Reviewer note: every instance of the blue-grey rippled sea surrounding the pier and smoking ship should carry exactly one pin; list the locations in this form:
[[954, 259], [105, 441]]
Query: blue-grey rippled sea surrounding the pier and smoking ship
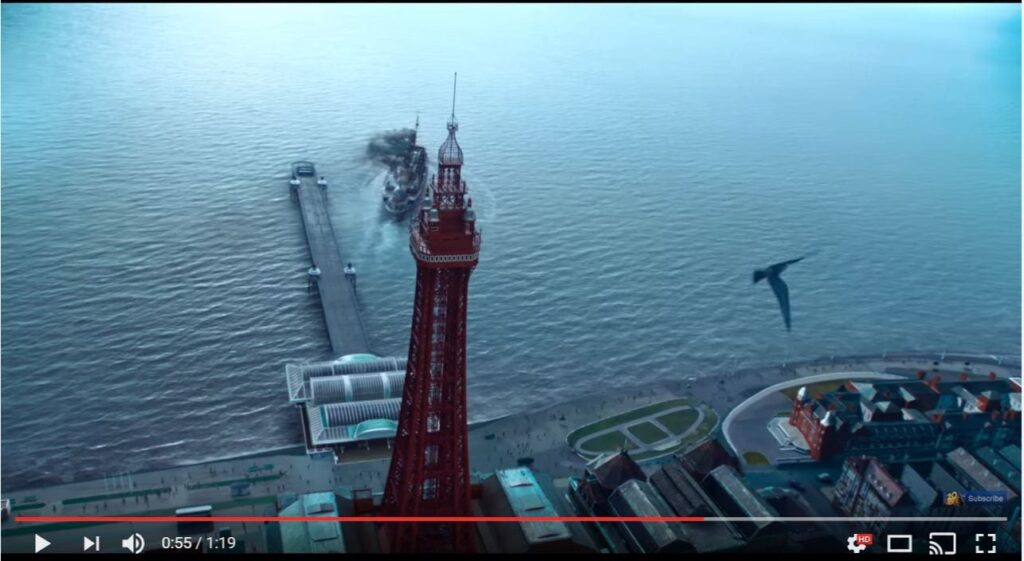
[[631, 167]]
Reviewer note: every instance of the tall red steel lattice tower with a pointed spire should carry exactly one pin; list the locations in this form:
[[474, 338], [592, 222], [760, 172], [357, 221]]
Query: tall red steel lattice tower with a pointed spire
[[430, 472]]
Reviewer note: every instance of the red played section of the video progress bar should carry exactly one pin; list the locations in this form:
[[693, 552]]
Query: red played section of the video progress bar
[[360, 520]]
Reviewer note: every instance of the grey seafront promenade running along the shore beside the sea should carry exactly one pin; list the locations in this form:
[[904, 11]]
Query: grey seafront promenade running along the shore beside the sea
[[539, 436]]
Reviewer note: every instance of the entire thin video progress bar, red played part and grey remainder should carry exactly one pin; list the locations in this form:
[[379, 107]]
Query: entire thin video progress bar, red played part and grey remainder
[[450, 520]]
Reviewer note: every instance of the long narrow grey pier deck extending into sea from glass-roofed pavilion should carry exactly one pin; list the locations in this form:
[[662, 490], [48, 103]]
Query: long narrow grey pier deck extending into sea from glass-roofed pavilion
[[336, 293]]
